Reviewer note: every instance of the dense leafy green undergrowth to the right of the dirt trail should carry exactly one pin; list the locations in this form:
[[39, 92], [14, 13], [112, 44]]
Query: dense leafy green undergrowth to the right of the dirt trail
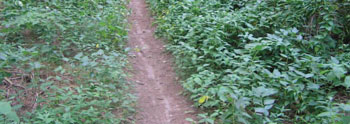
[[257, 61]]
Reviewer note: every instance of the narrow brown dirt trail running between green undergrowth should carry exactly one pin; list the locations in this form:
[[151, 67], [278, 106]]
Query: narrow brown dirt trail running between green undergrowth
[[159, 99]]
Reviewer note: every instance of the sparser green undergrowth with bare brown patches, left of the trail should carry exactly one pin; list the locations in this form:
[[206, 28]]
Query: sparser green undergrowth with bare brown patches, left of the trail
[[62, 61]]
